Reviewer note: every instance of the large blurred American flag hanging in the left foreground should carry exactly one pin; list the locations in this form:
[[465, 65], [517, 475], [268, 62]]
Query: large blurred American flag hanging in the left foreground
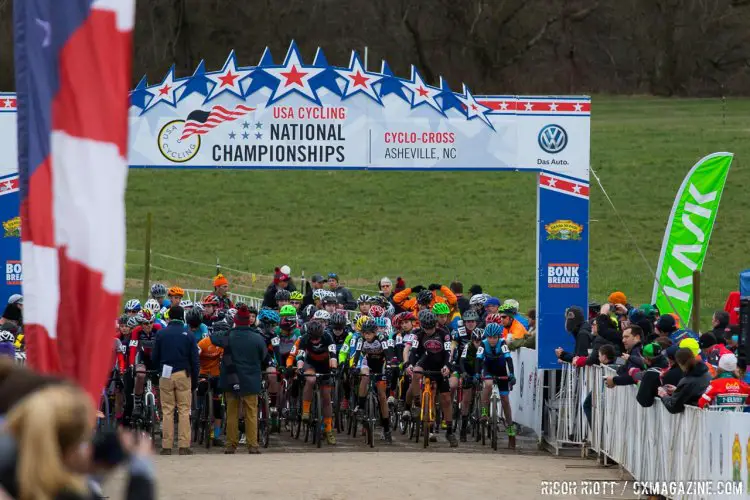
[[72, 63]]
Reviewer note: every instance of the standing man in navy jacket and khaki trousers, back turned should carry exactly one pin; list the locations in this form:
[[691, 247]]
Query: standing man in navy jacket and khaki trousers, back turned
[[175, 356]]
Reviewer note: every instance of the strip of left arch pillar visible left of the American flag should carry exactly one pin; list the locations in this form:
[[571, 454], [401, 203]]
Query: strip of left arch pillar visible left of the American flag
[[10, 241]]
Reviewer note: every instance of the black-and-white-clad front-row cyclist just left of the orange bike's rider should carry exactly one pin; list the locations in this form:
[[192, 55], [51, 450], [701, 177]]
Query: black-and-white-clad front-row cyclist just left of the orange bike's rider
[[372, 358]]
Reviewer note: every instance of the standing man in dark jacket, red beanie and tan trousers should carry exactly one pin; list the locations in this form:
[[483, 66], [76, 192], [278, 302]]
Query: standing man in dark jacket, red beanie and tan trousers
[[245, 356]]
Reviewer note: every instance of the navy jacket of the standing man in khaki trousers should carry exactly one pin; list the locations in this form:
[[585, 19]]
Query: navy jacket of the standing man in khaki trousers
[[176, 348]]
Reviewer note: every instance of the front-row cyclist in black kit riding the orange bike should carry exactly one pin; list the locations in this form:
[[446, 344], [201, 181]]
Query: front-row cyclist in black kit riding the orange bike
[[430, 350]]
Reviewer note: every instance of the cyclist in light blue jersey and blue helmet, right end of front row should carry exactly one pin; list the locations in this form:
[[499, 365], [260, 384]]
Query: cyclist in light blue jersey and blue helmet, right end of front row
[[494, 358]]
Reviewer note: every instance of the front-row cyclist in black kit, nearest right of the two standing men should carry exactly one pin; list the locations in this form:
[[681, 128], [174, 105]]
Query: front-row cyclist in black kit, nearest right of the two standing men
[[315, 352]]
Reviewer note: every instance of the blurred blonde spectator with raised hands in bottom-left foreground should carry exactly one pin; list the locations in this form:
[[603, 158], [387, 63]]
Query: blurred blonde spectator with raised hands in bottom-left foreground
[[46, 452]]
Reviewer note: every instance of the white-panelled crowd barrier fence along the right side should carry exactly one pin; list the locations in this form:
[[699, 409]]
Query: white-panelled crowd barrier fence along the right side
[[701, 449]]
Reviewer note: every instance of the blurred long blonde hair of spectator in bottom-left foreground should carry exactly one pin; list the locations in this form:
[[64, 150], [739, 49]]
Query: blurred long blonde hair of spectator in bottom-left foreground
[[46, 424]]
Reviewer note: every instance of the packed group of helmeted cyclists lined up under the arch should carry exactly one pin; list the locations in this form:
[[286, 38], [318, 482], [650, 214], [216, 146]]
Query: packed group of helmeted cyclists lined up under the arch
[[391, 341]]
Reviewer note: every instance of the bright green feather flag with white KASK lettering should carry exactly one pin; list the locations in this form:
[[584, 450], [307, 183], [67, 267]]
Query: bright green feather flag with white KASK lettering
[[688, 231]]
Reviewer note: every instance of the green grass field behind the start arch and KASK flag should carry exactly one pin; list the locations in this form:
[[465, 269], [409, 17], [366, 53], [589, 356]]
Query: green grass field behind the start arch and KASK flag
[[436, 227]]
